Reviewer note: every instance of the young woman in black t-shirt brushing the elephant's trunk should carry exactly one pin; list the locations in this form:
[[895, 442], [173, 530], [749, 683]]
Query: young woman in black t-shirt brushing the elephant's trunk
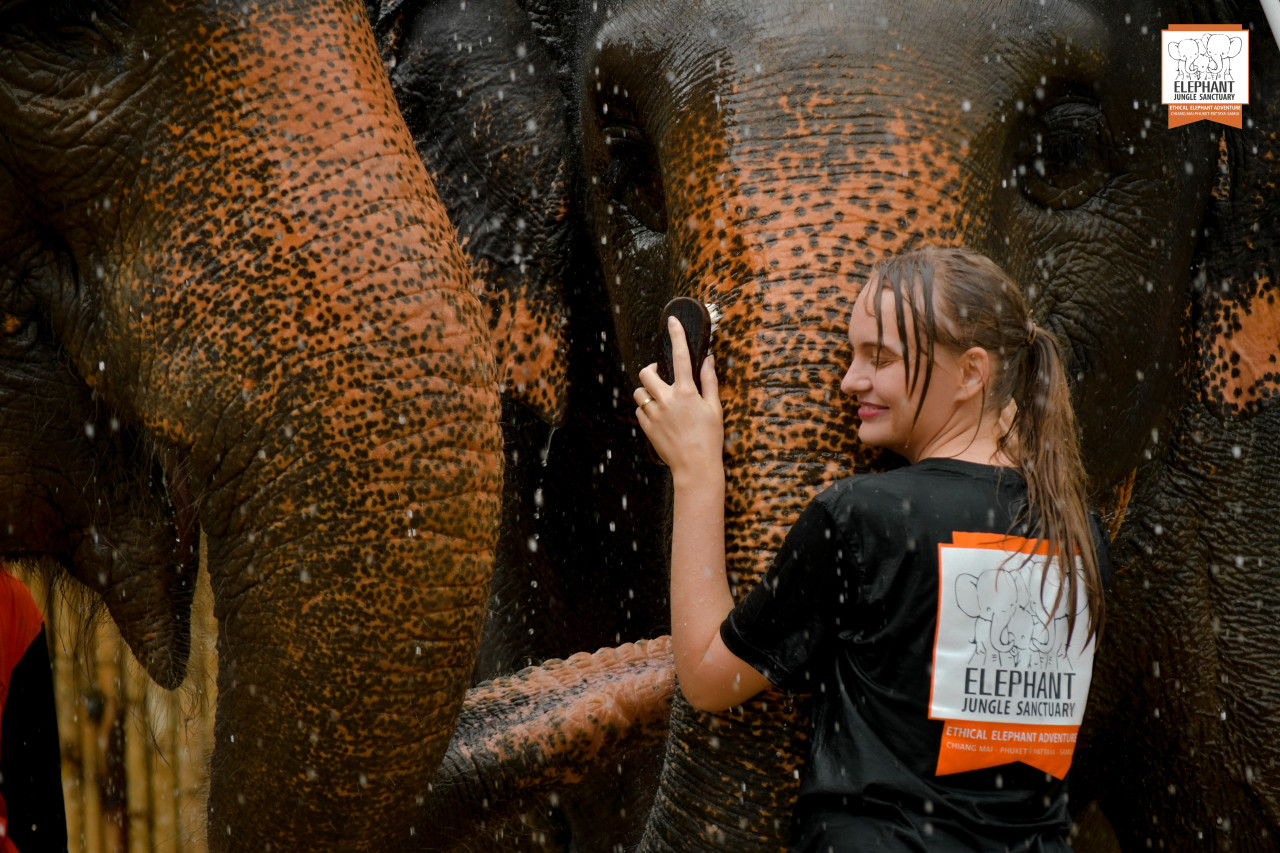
[[930, 610]]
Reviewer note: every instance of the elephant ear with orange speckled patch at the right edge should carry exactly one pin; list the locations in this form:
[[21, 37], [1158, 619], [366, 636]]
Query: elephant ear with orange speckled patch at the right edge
[[1238, 323]]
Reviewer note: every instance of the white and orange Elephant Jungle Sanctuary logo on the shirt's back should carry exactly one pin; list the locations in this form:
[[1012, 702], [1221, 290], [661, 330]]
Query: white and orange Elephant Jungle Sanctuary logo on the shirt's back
[[1005, 682]]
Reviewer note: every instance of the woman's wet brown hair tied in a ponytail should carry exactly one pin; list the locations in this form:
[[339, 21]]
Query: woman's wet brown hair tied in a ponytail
[[961, 299]]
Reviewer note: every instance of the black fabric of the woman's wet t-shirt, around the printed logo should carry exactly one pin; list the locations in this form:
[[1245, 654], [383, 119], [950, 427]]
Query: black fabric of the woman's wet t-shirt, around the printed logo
[[851, 613]]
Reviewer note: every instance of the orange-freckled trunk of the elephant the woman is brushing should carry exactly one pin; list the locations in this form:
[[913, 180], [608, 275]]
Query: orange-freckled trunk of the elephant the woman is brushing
[[794, 261]]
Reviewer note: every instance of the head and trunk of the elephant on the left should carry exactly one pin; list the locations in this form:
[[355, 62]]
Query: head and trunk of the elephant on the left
[[231, 298]]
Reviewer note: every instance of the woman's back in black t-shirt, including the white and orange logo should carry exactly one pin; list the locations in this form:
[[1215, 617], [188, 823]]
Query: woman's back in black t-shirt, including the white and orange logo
[[851, 614]]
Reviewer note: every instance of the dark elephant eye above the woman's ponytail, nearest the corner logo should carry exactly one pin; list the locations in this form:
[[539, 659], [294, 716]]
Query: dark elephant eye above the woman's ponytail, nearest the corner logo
[[1068, 158]]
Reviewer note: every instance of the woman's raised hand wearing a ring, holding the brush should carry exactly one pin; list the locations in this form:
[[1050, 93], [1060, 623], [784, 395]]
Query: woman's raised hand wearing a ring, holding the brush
[[685, 428]]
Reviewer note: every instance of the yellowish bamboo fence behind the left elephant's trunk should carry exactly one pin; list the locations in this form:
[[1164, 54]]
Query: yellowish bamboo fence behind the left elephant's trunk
[[135, 756]]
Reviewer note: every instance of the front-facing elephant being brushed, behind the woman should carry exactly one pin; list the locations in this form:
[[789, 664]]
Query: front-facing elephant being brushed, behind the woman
[[760, 157]]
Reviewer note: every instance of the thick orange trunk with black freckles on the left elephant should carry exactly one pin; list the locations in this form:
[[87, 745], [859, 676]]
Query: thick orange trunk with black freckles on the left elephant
[[308, 339]]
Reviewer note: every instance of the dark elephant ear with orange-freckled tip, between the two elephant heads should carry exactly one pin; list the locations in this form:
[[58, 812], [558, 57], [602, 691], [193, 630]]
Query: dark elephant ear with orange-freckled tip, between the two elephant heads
[[482, 97]]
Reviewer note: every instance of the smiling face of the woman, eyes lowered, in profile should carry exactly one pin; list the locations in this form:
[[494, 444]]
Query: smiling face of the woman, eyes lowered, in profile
[[879, 381]]
